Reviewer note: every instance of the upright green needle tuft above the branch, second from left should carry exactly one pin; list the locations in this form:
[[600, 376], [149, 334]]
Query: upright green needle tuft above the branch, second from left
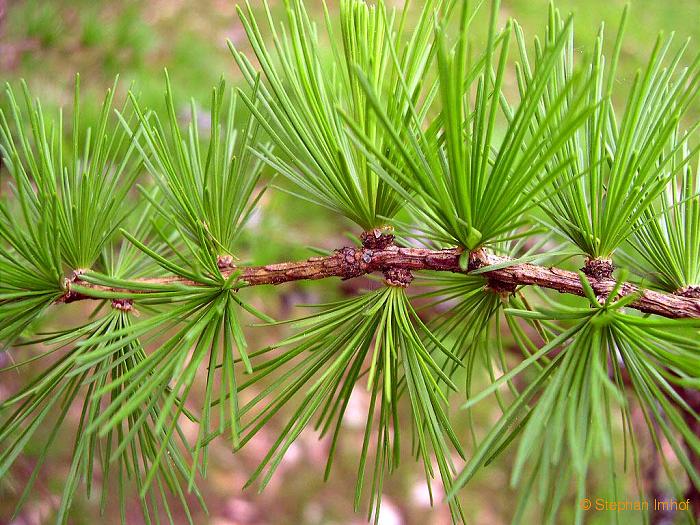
[[206, 195]]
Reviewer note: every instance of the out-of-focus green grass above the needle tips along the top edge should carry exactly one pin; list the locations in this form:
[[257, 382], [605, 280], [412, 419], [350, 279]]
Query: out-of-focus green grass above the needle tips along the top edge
[[47, 41]]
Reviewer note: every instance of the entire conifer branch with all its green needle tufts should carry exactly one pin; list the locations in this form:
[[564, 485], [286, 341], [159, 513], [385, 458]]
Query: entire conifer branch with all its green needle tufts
[[479, 175]]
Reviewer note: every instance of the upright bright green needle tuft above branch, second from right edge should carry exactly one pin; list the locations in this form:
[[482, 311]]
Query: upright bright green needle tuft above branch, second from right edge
[[619, 165]]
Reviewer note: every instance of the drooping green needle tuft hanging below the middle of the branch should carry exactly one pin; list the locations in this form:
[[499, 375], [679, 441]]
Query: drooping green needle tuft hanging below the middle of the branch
[[378, 336]]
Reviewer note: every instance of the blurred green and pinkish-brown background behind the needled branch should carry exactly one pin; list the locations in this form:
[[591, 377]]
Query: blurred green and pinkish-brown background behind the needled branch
[[46, 42]]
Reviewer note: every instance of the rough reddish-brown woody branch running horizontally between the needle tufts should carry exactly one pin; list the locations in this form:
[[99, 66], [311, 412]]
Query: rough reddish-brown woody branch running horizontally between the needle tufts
[[350, 262]]
